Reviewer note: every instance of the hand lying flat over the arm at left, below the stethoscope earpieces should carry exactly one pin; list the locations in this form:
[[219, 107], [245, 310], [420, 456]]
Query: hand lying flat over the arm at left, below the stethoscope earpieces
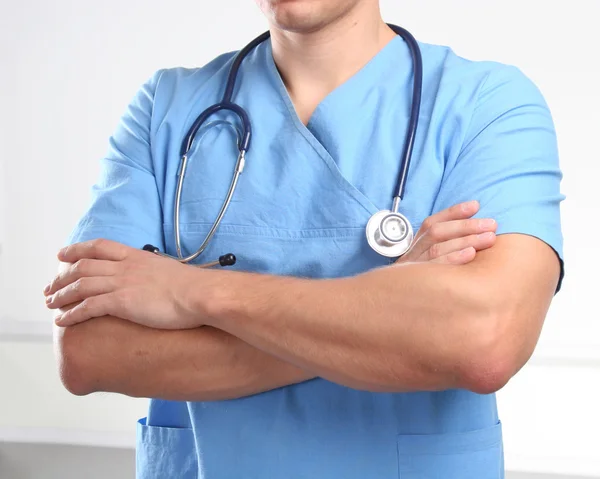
[[107, 278]]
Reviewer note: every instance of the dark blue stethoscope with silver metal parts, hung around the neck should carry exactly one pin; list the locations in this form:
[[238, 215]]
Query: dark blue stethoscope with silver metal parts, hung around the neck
[[389, 232]]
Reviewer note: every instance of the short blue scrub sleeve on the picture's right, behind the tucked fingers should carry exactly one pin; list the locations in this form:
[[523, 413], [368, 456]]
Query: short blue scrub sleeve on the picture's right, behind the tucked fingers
[[509, 161]]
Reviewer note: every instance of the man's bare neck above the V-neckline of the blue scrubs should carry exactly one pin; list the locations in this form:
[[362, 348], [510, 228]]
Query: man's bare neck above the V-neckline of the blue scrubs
[[314, 64]]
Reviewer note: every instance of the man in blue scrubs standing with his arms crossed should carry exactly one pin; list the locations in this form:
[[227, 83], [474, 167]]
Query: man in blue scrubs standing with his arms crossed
[[314, 357]]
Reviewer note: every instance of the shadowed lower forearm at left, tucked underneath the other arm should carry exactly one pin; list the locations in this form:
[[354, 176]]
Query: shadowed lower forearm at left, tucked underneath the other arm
[[112, 355]]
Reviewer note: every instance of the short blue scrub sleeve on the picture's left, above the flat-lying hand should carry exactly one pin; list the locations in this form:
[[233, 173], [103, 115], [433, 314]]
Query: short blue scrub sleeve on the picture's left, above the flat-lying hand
[[125, 204]]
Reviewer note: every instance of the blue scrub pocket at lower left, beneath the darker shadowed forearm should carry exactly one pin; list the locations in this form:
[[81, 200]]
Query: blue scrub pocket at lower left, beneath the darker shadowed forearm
[[165, 453]]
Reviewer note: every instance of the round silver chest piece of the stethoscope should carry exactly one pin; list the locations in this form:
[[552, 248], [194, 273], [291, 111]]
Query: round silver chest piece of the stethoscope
[[389, 234]]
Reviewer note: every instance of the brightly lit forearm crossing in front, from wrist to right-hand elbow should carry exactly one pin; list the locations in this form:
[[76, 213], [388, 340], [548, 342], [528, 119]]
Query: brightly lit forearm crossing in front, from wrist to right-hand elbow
[[402, 328]]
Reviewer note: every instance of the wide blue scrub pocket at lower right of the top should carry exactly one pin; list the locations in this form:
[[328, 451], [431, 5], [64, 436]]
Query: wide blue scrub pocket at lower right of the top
[[470, 455]]
